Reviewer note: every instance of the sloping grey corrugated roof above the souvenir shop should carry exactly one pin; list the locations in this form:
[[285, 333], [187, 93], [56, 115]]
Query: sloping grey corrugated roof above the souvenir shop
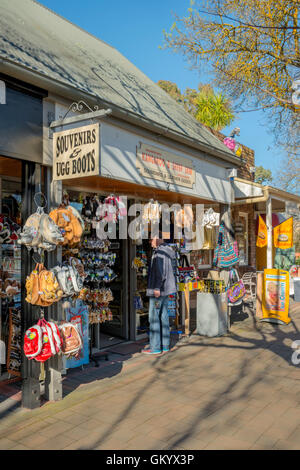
[[37, 38]]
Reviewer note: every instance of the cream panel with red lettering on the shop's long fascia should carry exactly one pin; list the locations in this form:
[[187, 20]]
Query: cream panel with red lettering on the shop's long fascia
[[164, 166]]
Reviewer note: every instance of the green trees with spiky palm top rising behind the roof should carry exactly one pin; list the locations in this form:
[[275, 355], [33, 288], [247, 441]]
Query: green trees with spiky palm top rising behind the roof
[[211, 108]]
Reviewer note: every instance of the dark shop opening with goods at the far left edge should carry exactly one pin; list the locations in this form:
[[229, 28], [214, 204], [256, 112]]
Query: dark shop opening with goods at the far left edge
[[10, 270]]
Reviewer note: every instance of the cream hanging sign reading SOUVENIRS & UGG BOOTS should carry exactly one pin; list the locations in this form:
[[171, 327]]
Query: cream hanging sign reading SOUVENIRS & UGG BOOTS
[[76, 152]]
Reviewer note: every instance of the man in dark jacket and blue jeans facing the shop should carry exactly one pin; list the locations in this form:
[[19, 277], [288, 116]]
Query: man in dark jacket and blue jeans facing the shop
[[161, 283]]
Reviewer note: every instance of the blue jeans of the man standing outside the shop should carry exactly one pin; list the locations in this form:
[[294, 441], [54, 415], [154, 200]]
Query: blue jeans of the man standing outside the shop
[[159, 323]]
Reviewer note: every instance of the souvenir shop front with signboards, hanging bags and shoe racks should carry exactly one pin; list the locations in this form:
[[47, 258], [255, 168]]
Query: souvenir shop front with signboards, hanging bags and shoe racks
[[58, 267]]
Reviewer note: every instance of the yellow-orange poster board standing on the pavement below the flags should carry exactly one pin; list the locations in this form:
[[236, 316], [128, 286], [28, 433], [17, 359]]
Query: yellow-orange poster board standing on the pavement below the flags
[[275, 299]]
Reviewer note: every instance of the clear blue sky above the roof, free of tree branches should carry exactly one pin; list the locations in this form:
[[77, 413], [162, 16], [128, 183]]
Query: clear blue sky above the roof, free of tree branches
[[135, 28]]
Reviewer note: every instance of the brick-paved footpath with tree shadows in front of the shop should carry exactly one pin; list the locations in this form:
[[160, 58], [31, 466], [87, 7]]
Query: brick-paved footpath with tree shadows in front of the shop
[[240, 391]]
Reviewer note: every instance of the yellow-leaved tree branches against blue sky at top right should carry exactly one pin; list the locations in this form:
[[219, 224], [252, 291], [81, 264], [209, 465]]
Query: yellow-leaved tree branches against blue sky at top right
[[252, 49]]
